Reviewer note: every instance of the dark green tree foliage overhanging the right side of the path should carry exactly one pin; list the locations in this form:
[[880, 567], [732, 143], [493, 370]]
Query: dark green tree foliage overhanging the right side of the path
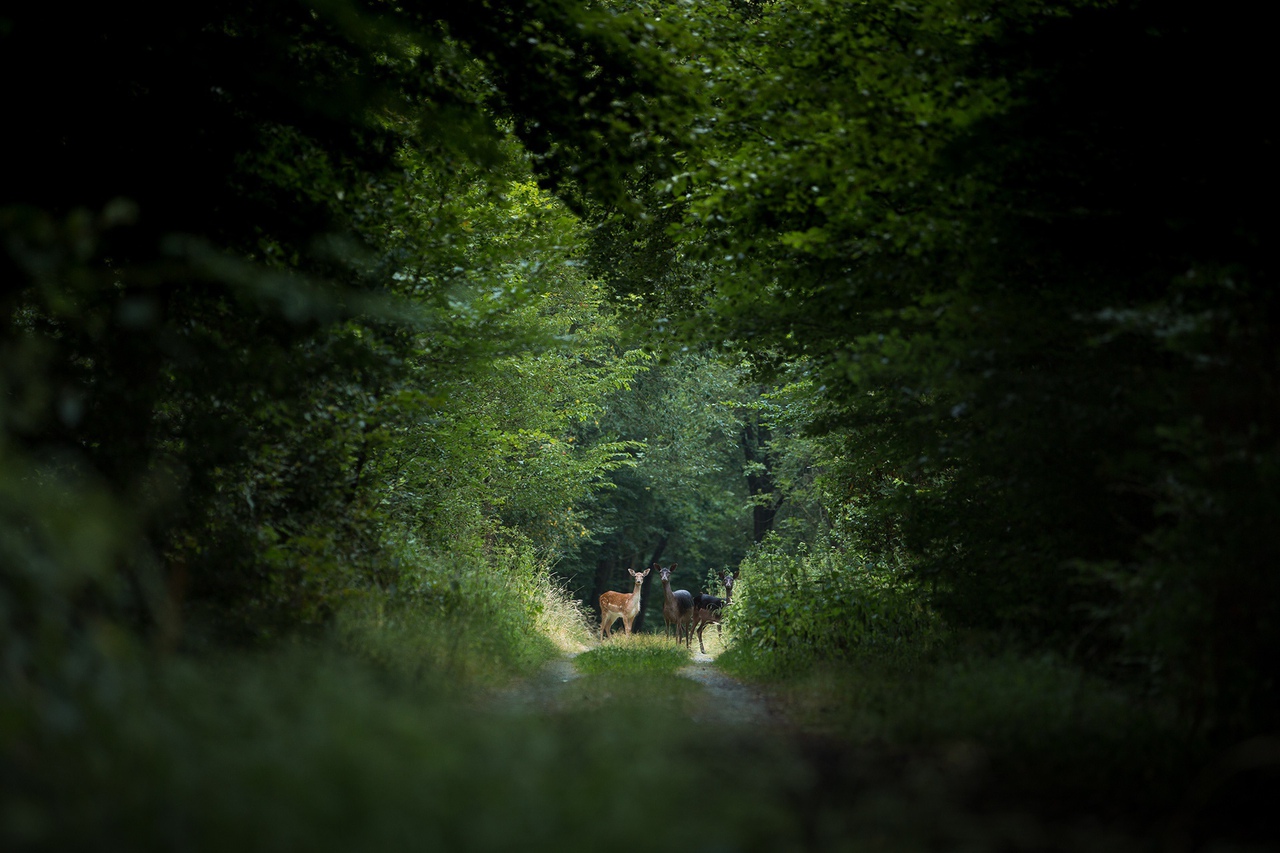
[[1022, 264]]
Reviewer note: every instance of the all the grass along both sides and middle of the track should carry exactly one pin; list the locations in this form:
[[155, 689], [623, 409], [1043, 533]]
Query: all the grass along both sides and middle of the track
[[382, 738]]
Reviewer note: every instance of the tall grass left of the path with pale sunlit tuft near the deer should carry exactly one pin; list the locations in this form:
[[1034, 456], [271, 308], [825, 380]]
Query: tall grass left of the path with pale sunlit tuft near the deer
[[367, 738]]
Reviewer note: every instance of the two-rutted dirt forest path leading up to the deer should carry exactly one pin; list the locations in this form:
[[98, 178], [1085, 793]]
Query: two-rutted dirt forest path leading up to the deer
[[838, 793]]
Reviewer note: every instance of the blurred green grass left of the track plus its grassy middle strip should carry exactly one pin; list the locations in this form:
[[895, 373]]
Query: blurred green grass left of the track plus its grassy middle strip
[[314, 749]]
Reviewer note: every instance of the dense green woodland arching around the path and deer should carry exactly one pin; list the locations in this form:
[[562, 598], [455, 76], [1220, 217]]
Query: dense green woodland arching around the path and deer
[[401, 332]]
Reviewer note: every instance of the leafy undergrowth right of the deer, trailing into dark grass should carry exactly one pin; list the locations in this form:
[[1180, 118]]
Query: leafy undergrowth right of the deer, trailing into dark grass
[[852, 650]]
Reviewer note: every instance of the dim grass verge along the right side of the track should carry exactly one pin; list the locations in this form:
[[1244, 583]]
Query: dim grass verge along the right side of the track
[[1048, 731]]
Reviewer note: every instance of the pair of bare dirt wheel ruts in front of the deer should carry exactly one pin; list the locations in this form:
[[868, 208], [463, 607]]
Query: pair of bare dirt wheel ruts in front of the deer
[[858, 797]]
